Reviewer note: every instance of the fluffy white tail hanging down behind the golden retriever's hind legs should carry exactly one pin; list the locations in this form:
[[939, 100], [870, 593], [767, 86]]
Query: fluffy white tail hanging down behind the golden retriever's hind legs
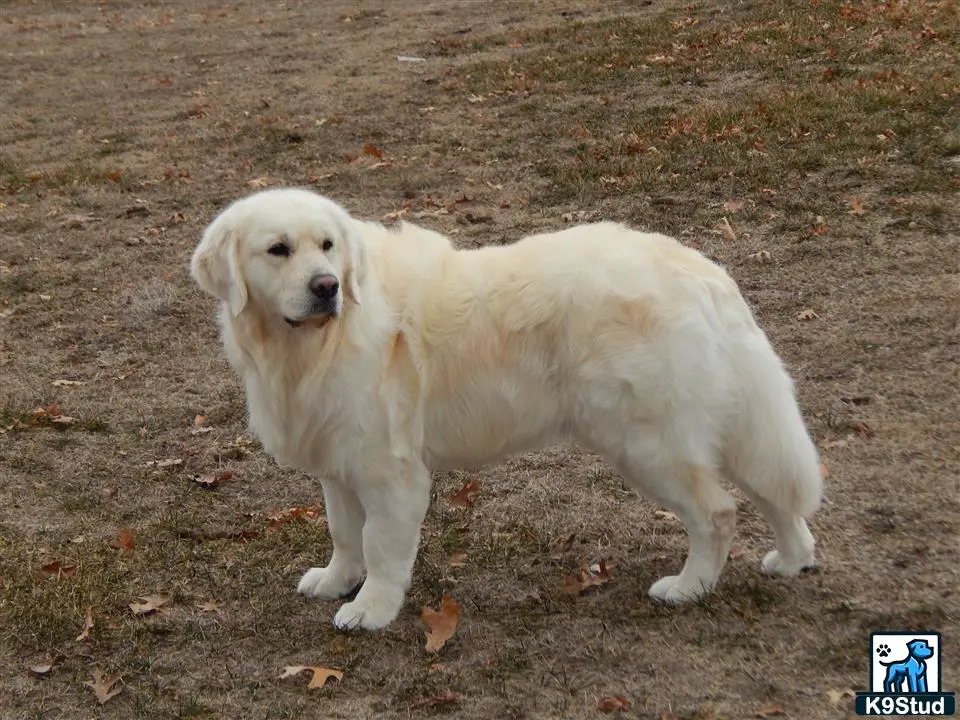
[[768, 448]]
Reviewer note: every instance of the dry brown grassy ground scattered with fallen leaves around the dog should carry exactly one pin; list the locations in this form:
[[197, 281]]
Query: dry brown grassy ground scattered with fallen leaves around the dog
[[811, 147]]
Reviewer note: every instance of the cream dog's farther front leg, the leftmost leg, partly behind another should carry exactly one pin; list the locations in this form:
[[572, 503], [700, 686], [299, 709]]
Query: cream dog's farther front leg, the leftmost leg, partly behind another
[[345, 518]]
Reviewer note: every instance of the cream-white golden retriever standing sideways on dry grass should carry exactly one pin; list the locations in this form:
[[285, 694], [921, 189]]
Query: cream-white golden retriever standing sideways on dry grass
[[372, 356]]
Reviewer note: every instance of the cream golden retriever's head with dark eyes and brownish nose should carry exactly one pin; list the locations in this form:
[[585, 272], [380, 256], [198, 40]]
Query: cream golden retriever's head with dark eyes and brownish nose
[[290, 254]]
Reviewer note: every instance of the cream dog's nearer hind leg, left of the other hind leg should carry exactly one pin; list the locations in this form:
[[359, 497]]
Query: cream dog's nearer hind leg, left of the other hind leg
[[706, 510]]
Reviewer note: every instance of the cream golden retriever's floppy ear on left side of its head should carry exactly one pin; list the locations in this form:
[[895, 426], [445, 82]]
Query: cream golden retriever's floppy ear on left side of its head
[[215, 265]]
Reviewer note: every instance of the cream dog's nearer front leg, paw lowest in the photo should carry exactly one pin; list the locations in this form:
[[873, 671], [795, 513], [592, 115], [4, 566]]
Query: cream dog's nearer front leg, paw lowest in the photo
[[395, 504]]
